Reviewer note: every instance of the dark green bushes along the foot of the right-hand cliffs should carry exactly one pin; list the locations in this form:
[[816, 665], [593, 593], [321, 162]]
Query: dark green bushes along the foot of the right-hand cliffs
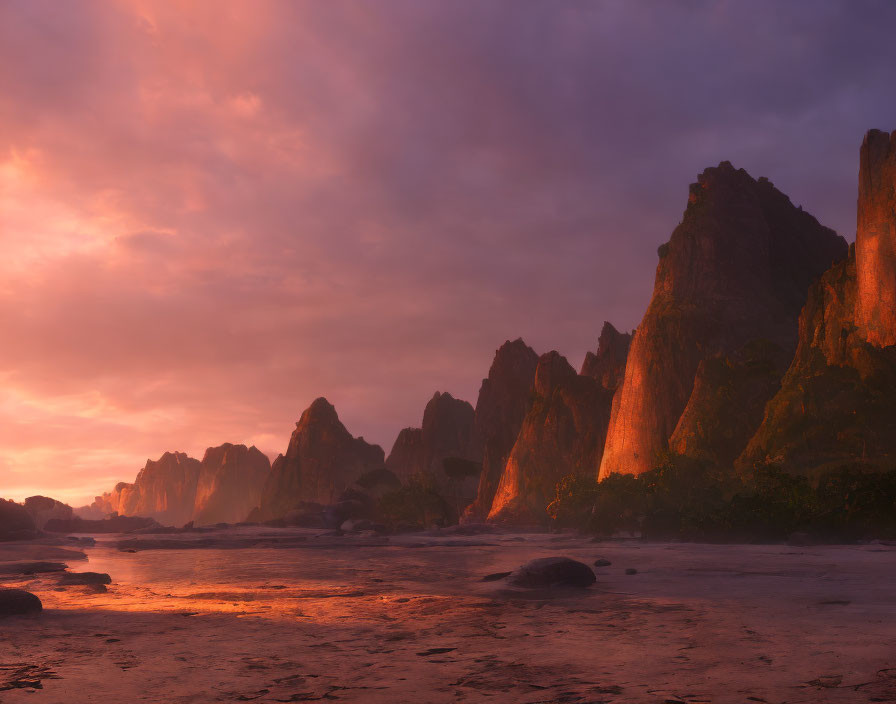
[[686, 499]]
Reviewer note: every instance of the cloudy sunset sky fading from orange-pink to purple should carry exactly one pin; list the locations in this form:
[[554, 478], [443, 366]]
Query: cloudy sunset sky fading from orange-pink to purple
[[212, 213]]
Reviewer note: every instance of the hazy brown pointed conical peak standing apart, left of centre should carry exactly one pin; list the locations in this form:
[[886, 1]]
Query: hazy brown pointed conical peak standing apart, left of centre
[[321, 462]]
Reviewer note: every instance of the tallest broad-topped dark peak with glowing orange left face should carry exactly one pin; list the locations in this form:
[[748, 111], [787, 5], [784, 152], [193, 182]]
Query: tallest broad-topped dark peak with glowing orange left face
[[735, 270]]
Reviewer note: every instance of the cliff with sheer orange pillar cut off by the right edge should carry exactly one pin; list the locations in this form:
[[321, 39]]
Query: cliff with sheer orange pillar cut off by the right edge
[[836, 403]]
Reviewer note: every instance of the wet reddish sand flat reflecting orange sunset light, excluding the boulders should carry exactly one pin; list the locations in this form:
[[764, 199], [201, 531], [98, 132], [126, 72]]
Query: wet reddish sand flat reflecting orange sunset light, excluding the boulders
[[305, 617]]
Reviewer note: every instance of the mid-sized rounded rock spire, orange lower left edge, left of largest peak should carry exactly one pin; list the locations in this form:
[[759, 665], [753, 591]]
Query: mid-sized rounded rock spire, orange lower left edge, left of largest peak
[[563, 433]]
